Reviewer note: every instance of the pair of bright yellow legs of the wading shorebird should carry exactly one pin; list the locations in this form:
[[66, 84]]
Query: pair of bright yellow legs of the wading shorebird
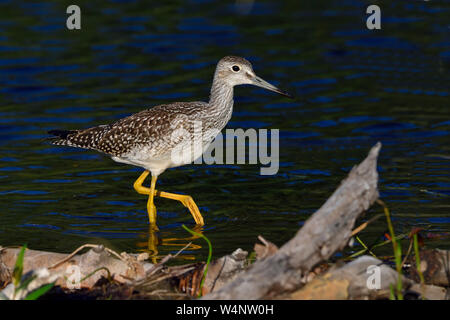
[[186, 200]]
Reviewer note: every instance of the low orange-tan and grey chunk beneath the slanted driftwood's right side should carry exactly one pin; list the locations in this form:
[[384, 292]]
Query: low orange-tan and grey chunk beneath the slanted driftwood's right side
[[363, 278]]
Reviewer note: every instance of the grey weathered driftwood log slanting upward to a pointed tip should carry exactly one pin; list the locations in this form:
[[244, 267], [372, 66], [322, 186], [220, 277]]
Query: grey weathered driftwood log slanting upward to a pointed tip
[[326, 231]]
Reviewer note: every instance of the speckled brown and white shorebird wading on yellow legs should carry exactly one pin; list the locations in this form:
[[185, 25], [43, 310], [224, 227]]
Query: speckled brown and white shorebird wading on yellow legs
[[149, 138]]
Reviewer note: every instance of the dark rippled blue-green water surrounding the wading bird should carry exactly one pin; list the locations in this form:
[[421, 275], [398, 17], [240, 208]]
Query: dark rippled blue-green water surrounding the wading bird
[[354, 87]]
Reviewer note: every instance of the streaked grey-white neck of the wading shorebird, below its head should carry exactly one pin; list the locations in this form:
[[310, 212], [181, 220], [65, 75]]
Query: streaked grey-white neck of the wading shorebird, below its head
[[221, 99]]
